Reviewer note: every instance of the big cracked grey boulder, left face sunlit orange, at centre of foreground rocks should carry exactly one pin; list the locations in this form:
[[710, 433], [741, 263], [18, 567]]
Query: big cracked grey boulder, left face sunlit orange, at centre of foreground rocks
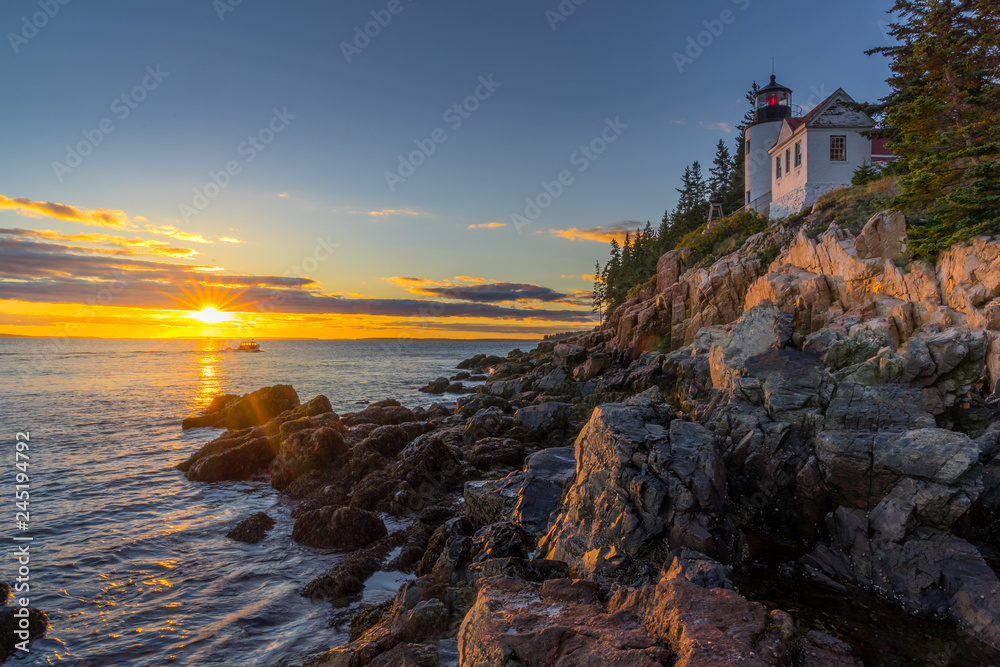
[[650, 482]]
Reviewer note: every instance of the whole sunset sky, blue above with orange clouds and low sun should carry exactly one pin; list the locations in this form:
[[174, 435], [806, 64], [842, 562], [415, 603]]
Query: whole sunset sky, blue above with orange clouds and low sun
[[349, 169]]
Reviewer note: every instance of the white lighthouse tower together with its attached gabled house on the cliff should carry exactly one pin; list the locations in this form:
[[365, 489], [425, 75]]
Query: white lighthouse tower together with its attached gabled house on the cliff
[[792, 158]]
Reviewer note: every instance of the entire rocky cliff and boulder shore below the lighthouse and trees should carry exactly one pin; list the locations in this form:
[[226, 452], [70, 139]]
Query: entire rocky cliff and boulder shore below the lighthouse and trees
[[813, 413]]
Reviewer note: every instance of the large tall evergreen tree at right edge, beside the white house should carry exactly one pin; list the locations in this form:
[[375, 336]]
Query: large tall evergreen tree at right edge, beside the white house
[[943, 116]]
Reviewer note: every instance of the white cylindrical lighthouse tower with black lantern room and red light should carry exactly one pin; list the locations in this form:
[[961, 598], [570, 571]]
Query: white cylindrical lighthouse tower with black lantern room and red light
[[772, 105]]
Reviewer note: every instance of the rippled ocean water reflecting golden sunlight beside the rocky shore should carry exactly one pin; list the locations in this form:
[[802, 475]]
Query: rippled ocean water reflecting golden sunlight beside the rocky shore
[[128, 558]]
